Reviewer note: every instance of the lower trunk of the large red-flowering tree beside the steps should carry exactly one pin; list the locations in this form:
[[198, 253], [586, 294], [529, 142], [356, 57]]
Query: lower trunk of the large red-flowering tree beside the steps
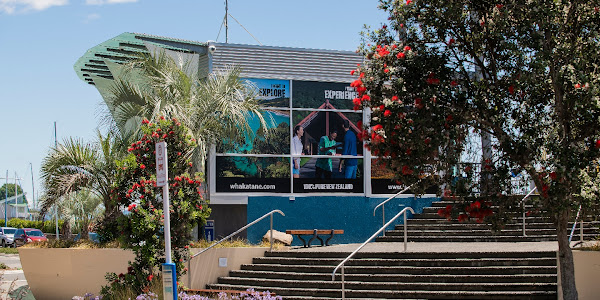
[[565, 258]]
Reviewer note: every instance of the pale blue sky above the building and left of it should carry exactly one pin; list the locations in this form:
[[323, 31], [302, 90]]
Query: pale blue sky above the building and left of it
[[40, 41]]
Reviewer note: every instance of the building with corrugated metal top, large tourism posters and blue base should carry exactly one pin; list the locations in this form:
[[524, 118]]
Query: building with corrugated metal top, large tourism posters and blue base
[[306, 87]]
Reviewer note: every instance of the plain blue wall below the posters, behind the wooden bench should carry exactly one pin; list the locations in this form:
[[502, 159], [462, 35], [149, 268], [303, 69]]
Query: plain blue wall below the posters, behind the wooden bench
[[352, 214]]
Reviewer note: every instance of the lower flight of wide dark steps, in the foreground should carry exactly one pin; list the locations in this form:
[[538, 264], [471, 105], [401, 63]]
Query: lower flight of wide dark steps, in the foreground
[[395, 275]]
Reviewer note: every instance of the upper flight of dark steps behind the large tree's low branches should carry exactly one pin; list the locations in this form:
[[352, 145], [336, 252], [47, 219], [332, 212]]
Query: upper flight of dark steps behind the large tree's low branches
[[430, 227]]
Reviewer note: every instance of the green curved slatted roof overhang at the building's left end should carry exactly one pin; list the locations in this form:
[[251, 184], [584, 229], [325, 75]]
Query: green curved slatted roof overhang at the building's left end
[[124, 47]]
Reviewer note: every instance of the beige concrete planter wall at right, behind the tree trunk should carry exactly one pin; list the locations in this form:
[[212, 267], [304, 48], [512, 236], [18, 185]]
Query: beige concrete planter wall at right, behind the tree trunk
[[587, 272]]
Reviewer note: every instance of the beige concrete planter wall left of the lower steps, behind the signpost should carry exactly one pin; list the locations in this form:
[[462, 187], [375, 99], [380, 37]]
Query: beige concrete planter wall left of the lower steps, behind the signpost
[[63, 273]]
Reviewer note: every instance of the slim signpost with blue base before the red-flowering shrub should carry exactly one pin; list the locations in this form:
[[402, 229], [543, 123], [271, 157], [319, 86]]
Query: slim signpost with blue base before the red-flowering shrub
[[169, 273]]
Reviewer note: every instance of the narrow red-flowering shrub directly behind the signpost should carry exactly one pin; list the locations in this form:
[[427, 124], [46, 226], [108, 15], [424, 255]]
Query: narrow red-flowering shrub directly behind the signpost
[[142, 228]]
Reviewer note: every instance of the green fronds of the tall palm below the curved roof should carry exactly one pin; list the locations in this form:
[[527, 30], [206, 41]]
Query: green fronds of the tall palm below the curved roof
[[214, 107]]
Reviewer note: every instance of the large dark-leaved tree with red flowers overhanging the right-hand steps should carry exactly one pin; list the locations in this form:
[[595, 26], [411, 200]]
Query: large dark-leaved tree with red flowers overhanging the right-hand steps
[[522, 74]]
